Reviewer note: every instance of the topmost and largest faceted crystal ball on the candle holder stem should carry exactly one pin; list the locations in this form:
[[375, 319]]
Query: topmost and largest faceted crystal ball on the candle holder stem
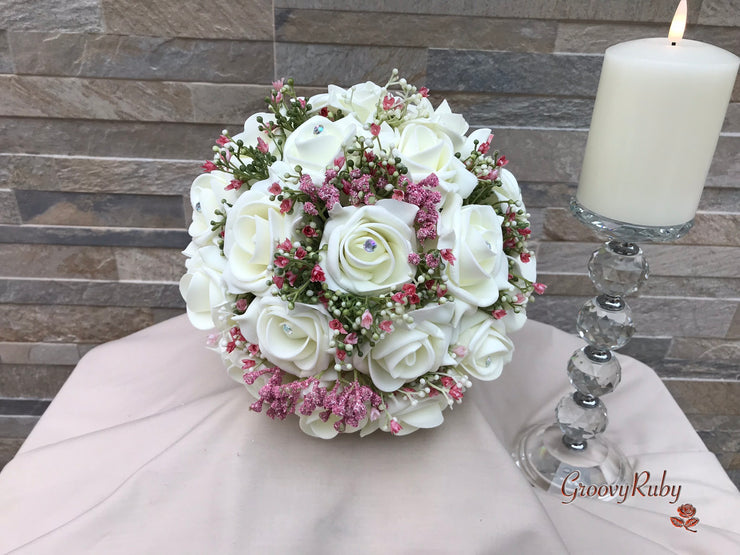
[[618, 269]]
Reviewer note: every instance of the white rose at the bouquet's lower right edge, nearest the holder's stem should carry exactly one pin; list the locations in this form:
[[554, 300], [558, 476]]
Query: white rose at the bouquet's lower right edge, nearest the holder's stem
[[488, 347]]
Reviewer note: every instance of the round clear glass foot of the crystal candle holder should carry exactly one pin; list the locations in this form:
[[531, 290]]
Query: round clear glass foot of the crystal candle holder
[[553, 466]]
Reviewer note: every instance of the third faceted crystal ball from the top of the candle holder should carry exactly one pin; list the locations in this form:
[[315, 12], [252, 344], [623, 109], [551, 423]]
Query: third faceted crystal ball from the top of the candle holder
[[594, 372]]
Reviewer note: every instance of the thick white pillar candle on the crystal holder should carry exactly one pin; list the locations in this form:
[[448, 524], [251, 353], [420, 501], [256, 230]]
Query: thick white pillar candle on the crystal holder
[[659, 110]]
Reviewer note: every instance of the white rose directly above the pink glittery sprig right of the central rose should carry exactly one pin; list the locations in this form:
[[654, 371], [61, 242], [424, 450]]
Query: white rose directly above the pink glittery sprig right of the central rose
[[425, 150]]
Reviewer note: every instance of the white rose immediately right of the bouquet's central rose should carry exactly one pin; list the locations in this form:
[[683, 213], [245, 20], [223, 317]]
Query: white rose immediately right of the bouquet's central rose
[[473, 232]]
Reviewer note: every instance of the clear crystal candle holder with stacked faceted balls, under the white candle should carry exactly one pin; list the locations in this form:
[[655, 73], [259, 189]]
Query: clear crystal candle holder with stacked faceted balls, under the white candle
[[548, 452]]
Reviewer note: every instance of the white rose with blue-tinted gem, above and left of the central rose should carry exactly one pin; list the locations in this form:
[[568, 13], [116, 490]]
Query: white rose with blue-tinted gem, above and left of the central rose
[[318, 141]]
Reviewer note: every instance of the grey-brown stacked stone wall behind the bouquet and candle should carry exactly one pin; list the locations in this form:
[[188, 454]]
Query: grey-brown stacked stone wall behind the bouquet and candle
[[108, 108]]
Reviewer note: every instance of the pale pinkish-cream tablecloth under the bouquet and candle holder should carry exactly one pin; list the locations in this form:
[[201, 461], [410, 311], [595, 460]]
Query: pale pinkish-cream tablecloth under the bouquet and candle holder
[[151, 448]]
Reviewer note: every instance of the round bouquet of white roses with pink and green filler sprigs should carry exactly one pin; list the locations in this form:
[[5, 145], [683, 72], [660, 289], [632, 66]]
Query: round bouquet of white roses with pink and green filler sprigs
[[360, 257]]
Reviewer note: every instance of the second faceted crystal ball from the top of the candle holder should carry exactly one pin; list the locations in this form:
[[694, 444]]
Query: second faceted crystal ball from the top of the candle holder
[[605, 322]]
